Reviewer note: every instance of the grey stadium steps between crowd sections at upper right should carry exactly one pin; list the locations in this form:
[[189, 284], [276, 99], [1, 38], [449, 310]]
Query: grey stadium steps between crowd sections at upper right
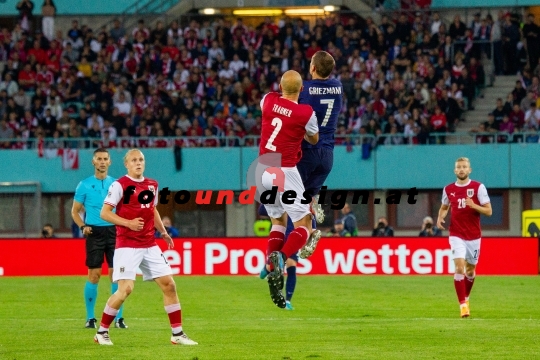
[[482, 107]]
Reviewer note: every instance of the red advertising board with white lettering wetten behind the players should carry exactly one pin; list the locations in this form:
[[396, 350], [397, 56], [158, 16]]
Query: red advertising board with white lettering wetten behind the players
[[246, 256]]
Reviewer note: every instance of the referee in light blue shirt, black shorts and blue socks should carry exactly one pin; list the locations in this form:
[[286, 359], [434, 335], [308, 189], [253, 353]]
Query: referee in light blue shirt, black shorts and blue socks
[[100, 235]]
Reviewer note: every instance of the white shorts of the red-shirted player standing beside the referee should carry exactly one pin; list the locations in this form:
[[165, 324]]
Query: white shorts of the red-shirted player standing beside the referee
[[150, 260]]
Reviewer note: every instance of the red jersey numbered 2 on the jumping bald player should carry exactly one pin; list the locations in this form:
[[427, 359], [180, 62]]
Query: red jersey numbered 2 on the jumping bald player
[[284, 124]]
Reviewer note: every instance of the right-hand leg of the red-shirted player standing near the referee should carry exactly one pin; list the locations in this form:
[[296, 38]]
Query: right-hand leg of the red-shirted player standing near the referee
[[174, 310]]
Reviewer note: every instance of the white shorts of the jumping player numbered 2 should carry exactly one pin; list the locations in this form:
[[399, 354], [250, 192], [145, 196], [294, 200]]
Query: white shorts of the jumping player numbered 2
[[293, 181]]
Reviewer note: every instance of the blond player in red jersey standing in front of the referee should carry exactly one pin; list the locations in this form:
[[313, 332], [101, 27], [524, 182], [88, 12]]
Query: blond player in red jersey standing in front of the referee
[[135, 199]]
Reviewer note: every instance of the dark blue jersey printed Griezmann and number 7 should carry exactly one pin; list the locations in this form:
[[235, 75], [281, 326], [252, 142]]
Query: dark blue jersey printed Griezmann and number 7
[[326, 99]]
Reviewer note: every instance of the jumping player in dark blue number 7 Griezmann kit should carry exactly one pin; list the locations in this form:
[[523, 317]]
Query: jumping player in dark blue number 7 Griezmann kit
[[325, 95]]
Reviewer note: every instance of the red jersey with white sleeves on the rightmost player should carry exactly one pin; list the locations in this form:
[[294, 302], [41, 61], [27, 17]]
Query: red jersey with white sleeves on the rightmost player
[[464, 221]]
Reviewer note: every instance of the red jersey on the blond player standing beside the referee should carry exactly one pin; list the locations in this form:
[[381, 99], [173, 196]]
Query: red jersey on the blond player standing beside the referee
[[144, 188]]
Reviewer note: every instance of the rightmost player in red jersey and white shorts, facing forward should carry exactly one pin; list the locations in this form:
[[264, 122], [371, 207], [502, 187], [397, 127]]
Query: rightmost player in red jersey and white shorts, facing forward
[[468, 199]]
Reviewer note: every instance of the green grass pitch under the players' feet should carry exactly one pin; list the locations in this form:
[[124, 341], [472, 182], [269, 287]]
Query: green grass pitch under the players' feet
[[335, 317]]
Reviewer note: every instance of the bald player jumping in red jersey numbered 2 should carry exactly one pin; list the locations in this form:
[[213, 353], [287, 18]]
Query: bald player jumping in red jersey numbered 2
[[285, 123]]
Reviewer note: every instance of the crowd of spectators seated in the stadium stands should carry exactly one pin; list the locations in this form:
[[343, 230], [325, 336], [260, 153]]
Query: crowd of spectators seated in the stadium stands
[[199, 85]]
